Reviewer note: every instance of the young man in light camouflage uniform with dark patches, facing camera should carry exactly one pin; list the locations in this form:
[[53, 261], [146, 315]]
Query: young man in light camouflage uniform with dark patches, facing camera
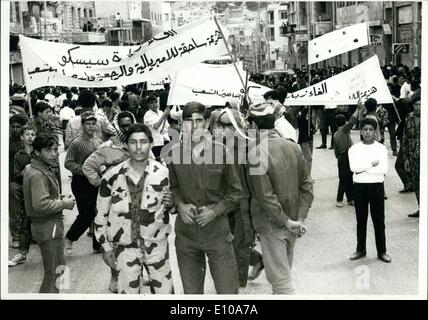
[[132, 223]]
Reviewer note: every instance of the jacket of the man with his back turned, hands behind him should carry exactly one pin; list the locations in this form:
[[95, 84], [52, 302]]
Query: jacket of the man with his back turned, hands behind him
[[285, 191]]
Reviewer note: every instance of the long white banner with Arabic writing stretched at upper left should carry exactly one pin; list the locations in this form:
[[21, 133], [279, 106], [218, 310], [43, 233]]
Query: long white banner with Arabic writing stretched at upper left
[[49, 64]]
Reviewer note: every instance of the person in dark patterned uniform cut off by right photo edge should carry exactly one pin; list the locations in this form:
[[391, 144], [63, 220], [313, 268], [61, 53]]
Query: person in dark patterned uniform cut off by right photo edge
[[411, 146]]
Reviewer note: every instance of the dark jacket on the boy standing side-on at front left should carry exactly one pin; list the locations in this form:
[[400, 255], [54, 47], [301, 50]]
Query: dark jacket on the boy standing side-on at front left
[[41, 192]]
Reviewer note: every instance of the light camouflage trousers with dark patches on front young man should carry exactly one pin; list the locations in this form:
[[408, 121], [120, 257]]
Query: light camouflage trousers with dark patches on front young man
[[154, 257]]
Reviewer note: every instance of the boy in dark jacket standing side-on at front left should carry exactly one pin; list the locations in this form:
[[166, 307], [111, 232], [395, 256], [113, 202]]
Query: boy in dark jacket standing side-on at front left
[[44, 205]]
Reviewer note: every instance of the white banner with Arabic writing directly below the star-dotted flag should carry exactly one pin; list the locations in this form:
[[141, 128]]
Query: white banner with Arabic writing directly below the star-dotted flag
[[362, 81]]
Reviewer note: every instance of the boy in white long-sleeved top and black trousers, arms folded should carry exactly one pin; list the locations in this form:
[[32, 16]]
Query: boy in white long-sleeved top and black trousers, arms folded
[[368, 161]]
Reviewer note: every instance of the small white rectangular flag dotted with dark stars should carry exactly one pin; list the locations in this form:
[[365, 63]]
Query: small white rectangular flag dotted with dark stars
[[337, 42]]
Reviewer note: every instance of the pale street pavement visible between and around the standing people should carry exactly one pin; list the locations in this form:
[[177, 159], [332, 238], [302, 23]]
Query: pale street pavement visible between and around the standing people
[[321, 263]]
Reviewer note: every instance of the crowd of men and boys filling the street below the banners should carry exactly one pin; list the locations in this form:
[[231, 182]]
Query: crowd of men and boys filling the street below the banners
[[117, 145]]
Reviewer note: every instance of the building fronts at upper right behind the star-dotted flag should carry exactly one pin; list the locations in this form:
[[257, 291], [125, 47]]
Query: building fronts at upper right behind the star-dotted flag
[[389, 22]]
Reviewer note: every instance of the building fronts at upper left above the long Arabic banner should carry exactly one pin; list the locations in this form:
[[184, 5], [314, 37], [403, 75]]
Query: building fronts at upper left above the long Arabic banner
[[64, 21]]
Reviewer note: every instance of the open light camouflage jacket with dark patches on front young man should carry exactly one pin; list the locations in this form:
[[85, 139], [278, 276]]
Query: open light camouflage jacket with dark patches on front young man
[[113, 221]]
